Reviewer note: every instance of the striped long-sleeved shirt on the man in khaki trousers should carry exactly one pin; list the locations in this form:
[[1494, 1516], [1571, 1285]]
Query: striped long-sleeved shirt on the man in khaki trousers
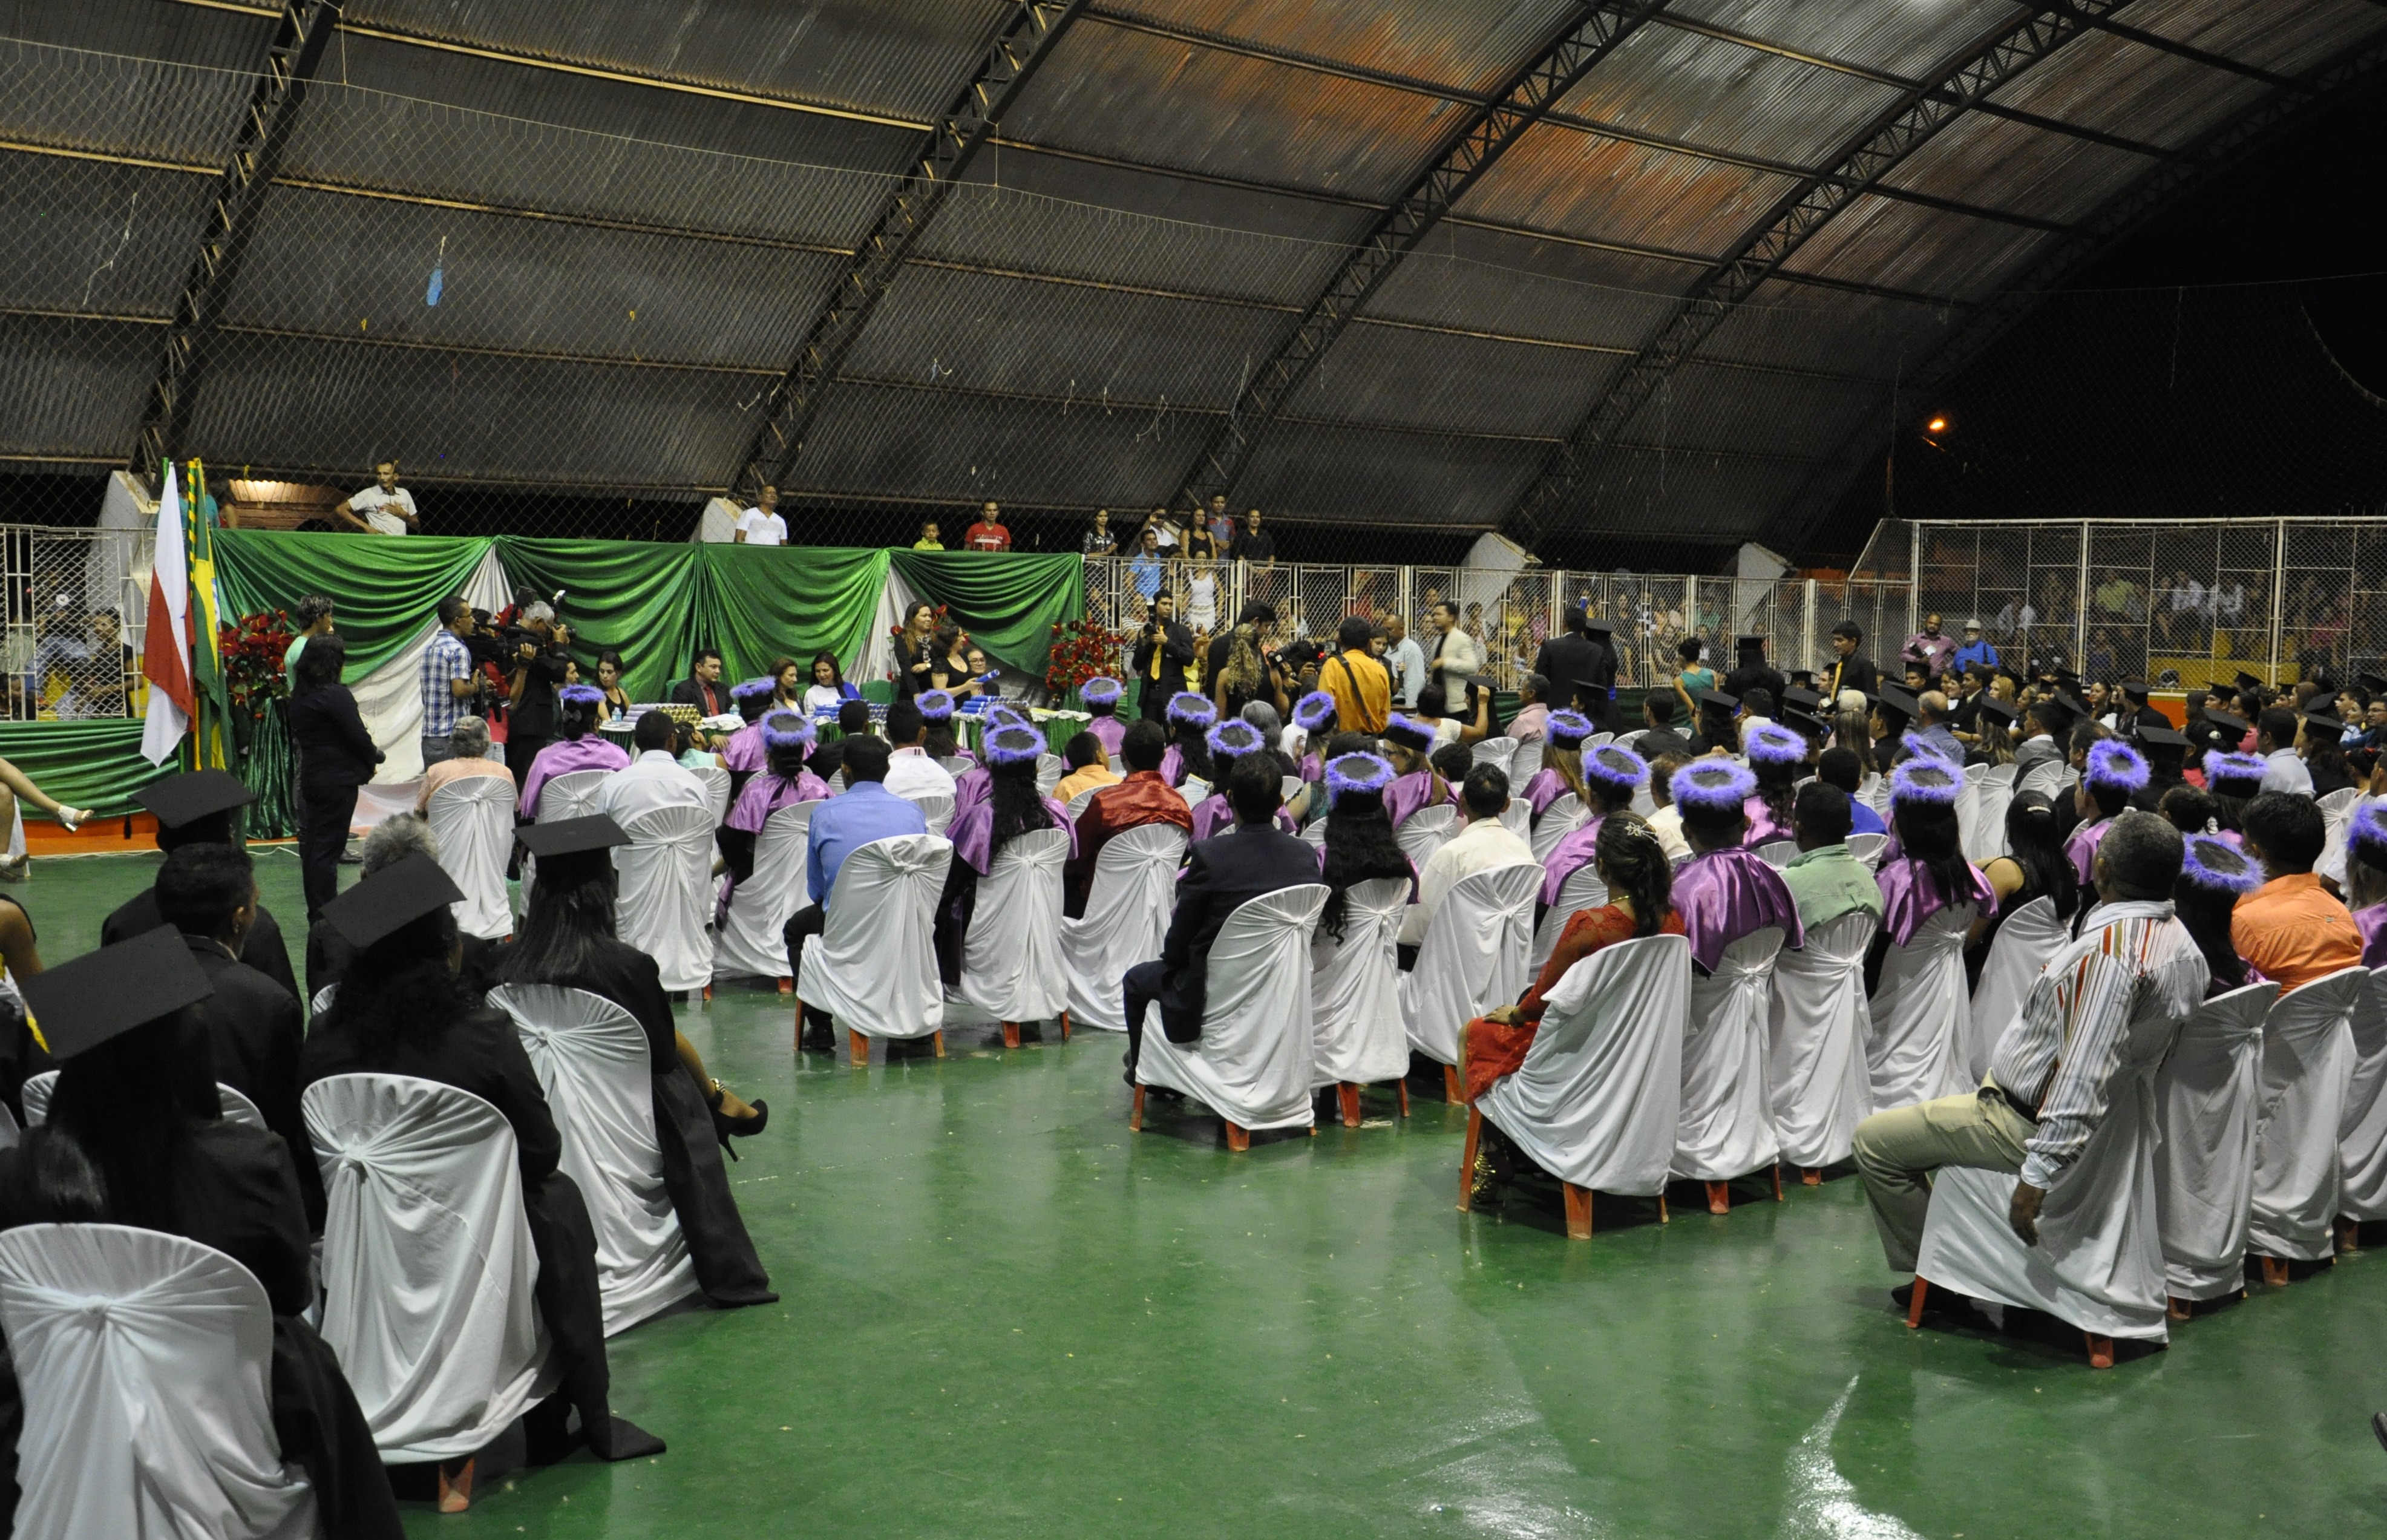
[[2133, 961]]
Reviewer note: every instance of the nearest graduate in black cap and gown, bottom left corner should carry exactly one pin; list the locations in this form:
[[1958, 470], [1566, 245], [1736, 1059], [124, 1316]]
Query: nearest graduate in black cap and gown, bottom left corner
[[135, 1140]]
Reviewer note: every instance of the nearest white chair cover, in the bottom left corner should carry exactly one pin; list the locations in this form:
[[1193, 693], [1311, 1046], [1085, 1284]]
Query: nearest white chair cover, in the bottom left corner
[[147, 1374]]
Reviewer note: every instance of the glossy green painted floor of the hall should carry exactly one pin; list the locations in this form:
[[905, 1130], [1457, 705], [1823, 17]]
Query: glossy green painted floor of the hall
[[1004, 1314]]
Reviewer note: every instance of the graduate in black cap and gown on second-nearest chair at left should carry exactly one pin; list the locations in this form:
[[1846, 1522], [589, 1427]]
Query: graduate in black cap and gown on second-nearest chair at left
[[405, 1011]]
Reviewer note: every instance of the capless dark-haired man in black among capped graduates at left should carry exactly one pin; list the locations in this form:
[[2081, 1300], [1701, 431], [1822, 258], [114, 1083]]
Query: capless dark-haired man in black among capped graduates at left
[[254, 1025]]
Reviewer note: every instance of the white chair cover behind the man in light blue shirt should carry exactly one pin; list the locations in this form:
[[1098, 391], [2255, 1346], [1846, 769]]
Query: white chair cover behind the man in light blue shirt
[[875, 963]]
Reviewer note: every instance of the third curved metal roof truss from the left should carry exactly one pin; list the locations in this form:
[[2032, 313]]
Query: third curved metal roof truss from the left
[[1589, 37]]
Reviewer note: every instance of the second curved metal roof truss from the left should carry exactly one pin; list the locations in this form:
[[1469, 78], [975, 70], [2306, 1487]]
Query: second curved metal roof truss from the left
[[954, 142]]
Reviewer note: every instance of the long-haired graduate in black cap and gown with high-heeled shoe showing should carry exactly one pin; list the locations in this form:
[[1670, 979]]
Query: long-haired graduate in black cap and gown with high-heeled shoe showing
[[569, 942]]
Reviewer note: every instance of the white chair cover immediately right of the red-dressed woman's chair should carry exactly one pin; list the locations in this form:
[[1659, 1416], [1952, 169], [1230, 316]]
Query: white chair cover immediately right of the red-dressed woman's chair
[[1725, 1128]]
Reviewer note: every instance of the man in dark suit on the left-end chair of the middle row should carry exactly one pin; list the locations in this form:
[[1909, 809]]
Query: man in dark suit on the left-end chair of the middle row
[[1223, 875]]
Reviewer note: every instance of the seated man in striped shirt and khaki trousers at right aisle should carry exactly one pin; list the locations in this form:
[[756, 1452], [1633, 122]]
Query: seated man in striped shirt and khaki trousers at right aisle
[[2047, 1080]]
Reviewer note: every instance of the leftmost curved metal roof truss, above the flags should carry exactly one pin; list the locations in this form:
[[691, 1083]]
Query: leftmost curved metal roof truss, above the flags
[[257, 154]]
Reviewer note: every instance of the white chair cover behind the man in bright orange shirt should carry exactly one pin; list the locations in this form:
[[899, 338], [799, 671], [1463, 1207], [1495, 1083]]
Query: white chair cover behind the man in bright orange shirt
[[2307, 1068]]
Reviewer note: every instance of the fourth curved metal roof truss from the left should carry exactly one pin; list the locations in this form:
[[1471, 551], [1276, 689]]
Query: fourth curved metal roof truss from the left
[[1887, 142]]
